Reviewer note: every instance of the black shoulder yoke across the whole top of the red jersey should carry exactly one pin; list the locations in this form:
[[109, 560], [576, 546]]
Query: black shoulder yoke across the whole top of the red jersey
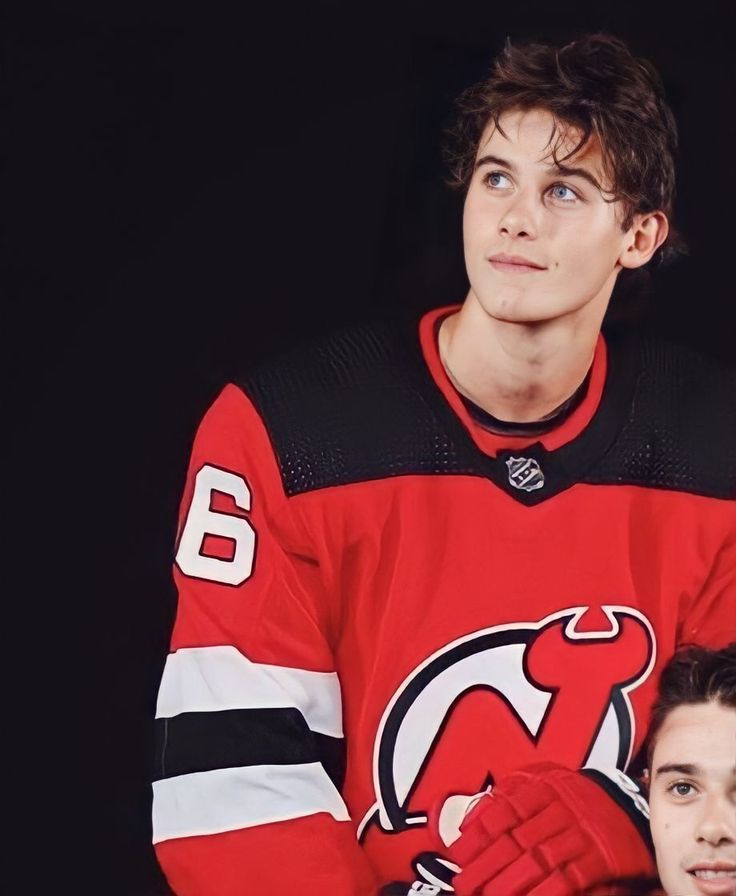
[[361, 404]]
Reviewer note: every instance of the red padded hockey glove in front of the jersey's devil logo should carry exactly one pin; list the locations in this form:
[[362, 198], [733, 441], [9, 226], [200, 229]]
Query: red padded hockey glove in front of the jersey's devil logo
[[549, 831]]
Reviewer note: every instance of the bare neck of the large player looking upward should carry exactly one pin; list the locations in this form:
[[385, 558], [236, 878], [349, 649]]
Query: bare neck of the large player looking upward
[[518, 372]]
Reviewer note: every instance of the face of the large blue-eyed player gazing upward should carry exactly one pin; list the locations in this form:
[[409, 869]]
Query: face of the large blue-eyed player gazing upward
[[520, 204]]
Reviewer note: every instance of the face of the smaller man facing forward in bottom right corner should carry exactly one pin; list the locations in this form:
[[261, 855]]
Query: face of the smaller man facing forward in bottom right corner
[[692, 801]]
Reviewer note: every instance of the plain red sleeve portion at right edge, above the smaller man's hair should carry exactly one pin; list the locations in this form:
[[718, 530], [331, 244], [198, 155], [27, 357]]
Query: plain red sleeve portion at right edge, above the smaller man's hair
[[710, 619]]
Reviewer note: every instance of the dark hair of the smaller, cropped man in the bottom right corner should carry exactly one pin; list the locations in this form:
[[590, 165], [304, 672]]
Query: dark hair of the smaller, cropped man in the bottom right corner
[[693, 675]]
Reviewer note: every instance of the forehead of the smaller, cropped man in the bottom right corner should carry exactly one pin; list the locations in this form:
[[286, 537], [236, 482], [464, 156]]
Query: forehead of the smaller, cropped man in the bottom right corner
[[701, 734]]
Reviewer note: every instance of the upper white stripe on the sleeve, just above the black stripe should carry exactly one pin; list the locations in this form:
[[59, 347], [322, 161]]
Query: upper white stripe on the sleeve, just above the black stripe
[[211, 679]]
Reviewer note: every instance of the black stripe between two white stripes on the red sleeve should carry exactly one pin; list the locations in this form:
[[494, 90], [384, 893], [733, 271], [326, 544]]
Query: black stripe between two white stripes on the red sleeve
[[203, 741]]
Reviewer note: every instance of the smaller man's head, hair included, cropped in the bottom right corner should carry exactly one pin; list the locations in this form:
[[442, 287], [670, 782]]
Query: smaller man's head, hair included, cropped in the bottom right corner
[[692, 774]]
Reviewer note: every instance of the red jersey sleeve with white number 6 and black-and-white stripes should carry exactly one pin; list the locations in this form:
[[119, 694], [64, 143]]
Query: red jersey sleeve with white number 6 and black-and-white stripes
[[250, 746]]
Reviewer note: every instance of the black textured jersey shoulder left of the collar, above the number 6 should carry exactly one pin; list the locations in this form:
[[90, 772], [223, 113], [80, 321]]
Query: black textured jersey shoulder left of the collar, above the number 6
[[356, 404]]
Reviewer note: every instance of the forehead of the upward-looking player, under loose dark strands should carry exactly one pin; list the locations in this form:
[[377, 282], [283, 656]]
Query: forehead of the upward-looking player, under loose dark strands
[[534, 135]]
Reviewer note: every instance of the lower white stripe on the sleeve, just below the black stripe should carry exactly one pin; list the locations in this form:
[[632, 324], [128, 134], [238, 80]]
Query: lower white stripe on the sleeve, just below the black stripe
[[231, 798]]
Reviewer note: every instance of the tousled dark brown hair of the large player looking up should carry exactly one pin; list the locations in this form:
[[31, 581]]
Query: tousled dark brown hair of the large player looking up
[[598, 87]]
